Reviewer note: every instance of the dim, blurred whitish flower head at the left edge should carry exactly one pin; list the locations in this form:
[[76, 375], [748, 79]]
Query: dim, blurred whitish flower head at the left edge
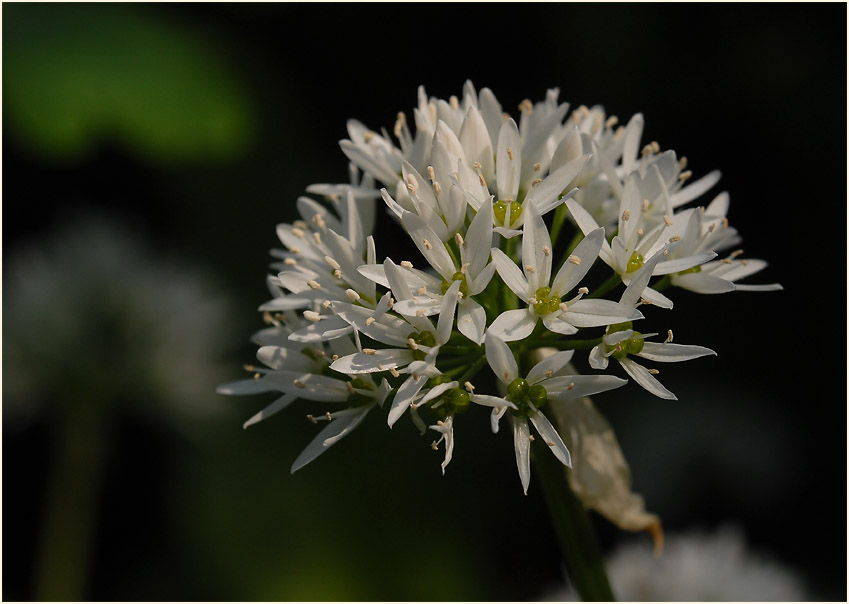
[[94, 315]]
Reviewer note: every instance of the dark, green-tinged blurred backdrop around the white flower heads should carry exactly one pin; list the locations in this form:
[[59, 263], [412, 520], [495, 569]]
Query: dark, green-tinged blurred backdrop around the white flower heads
[[196, 126]]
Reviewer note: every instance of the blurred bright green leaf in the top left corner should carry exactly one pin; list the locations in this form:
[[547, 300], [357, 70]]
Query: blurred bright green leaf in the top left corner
[[75, 74]]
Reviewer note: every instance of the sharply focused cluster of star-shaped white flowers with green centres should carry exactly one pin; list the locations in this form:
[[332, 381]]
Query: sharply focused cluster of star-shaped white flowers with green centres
[[485, 200]]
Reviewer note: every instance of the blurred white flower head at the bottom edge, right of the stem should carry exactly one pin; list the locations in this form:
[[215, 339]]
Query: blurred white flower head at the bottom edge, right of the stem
[[697, 566]]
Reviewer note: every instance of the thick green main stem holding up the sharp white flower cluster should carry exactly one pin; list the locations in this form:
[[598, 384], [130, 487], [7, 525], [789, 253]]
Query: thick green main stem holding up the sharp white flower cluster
[[573, 526]]
